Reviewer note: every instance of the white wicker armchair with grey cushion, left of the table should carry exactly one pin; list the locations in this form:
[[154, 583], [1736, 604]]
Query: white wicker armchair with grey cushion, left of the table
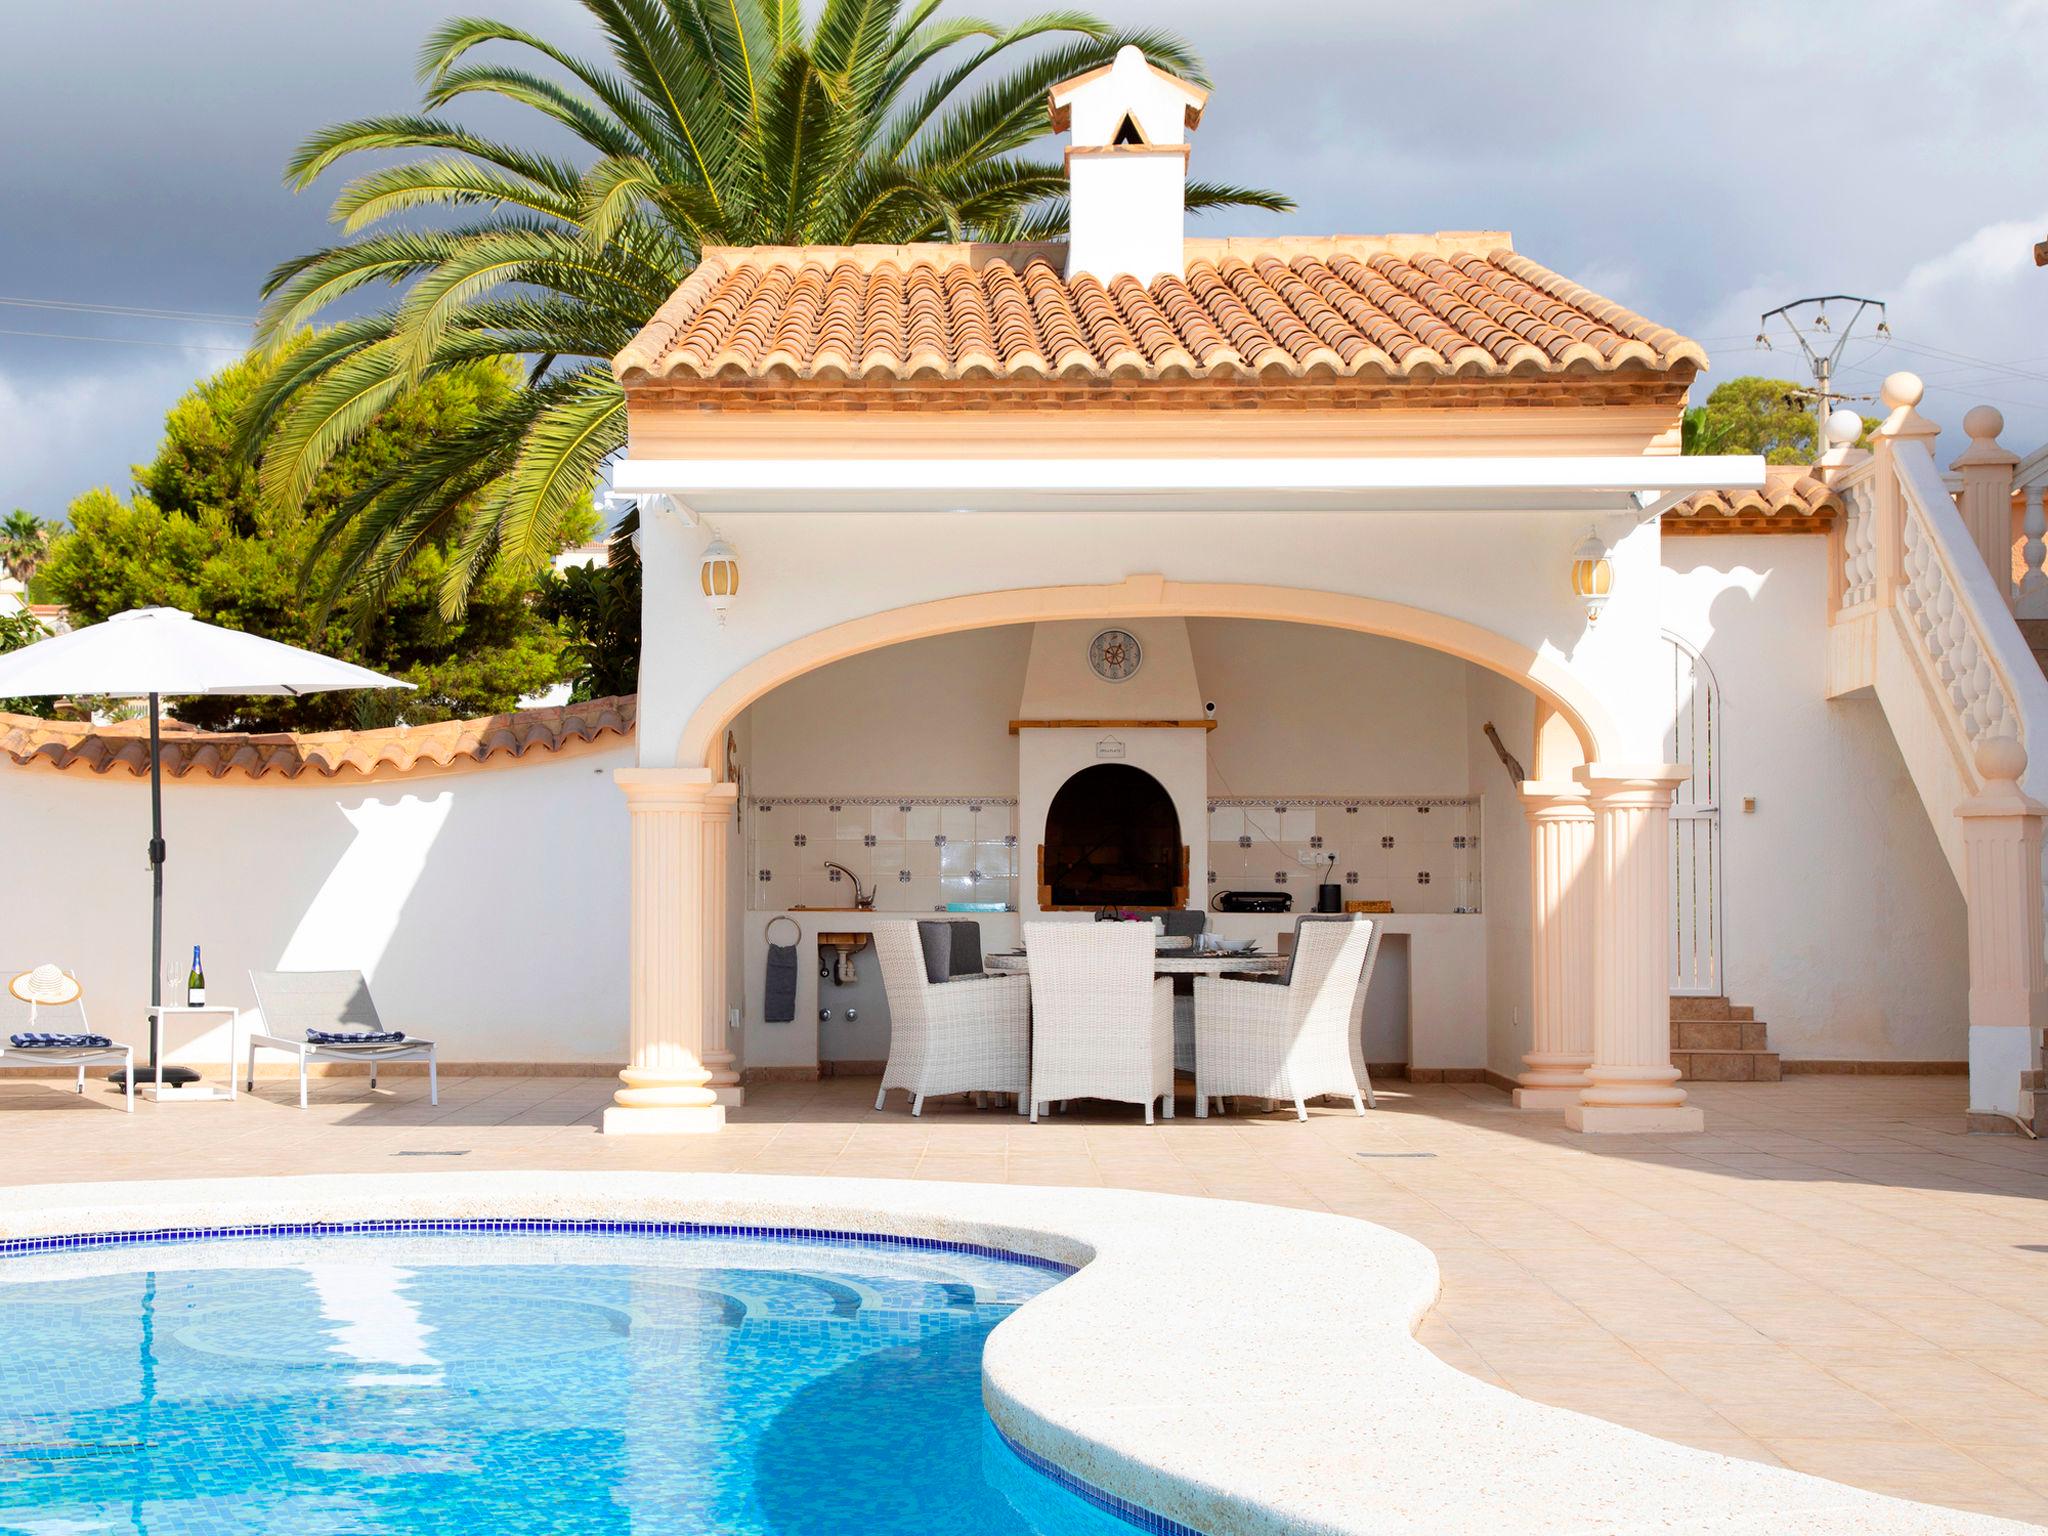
[[970, 1035]]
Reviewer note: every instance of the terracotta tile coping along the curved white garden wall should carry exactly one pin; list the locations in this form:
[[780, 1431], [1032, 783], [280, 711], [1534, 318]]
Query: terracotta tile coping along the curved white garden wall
[[327, 755]]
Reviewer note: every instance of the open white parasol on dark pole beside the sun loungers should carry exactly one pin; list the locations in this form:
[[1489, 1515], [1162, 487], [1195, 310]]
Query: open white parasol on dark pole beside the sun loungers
[[165, 652]]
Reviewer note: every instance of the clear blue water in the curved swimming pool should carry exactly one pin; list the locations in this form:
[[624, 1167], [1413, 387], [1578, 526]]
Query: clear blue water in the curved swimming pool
[[509, 1383]]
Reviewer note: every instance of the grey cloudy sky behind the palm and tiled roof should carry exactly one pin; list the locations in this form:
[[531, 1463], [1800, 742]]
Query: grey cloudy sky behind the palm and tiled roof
[[1701, 161]]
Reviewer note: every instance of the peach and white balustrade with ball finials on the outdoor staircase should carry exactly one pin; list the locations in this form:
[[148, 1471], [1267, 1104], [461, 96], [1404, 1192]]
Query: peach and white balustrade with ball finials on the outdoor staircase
[[1922, 617]]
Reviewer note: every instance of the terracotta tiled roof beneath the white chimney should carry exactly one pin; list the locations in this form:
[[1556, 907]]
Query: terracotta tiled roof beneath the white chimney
[[1340, 308]]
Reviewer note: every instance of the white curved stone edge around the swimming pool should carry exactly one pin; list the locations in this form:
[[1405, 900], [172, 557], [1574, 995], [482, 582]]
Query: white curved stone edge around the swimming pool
[[1224, 1367]]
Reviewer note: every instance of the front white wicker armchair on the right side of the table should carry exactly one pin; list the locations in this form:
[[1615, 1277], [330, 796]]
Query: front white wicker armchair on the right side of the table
[[1291, 1041]]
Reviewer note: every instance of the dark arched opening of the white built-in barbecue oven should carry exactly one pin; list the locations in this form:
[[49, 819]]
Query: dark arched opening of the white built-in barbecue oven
[[1113, 841]]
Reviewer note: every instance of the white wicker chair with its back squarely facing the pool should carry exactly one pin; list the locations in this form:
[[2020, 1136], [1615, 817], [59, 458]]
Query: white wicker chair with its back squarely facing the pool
[[1103, 1025]]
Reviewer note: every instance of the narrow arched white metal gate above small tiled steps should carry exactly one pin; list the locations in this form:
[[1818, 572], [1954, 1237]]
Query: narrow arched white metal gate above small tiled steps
[[1697, 890]]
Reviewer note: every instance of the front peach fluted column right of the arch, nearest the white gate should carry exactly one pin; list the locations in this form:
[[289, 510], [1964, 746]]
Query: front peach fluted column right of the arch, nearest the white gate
[[1633, 1084]]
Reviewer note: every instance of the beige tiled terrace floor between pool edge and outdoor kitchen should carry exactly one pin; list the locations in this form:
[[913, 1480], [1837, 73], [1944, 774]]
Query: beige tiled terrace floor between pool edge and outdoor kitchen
[[1832, 1277]]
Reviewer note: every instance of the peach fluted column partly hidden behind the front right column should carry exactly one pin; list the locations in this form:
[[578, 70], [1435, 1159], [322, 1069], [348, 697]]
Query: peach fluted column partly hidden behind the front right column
[[1562, 947]]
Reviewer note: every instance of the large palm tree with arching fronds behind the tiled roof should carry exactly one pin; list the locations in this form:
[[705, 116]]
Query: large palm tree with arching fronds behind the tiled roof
[[714, 122]]
